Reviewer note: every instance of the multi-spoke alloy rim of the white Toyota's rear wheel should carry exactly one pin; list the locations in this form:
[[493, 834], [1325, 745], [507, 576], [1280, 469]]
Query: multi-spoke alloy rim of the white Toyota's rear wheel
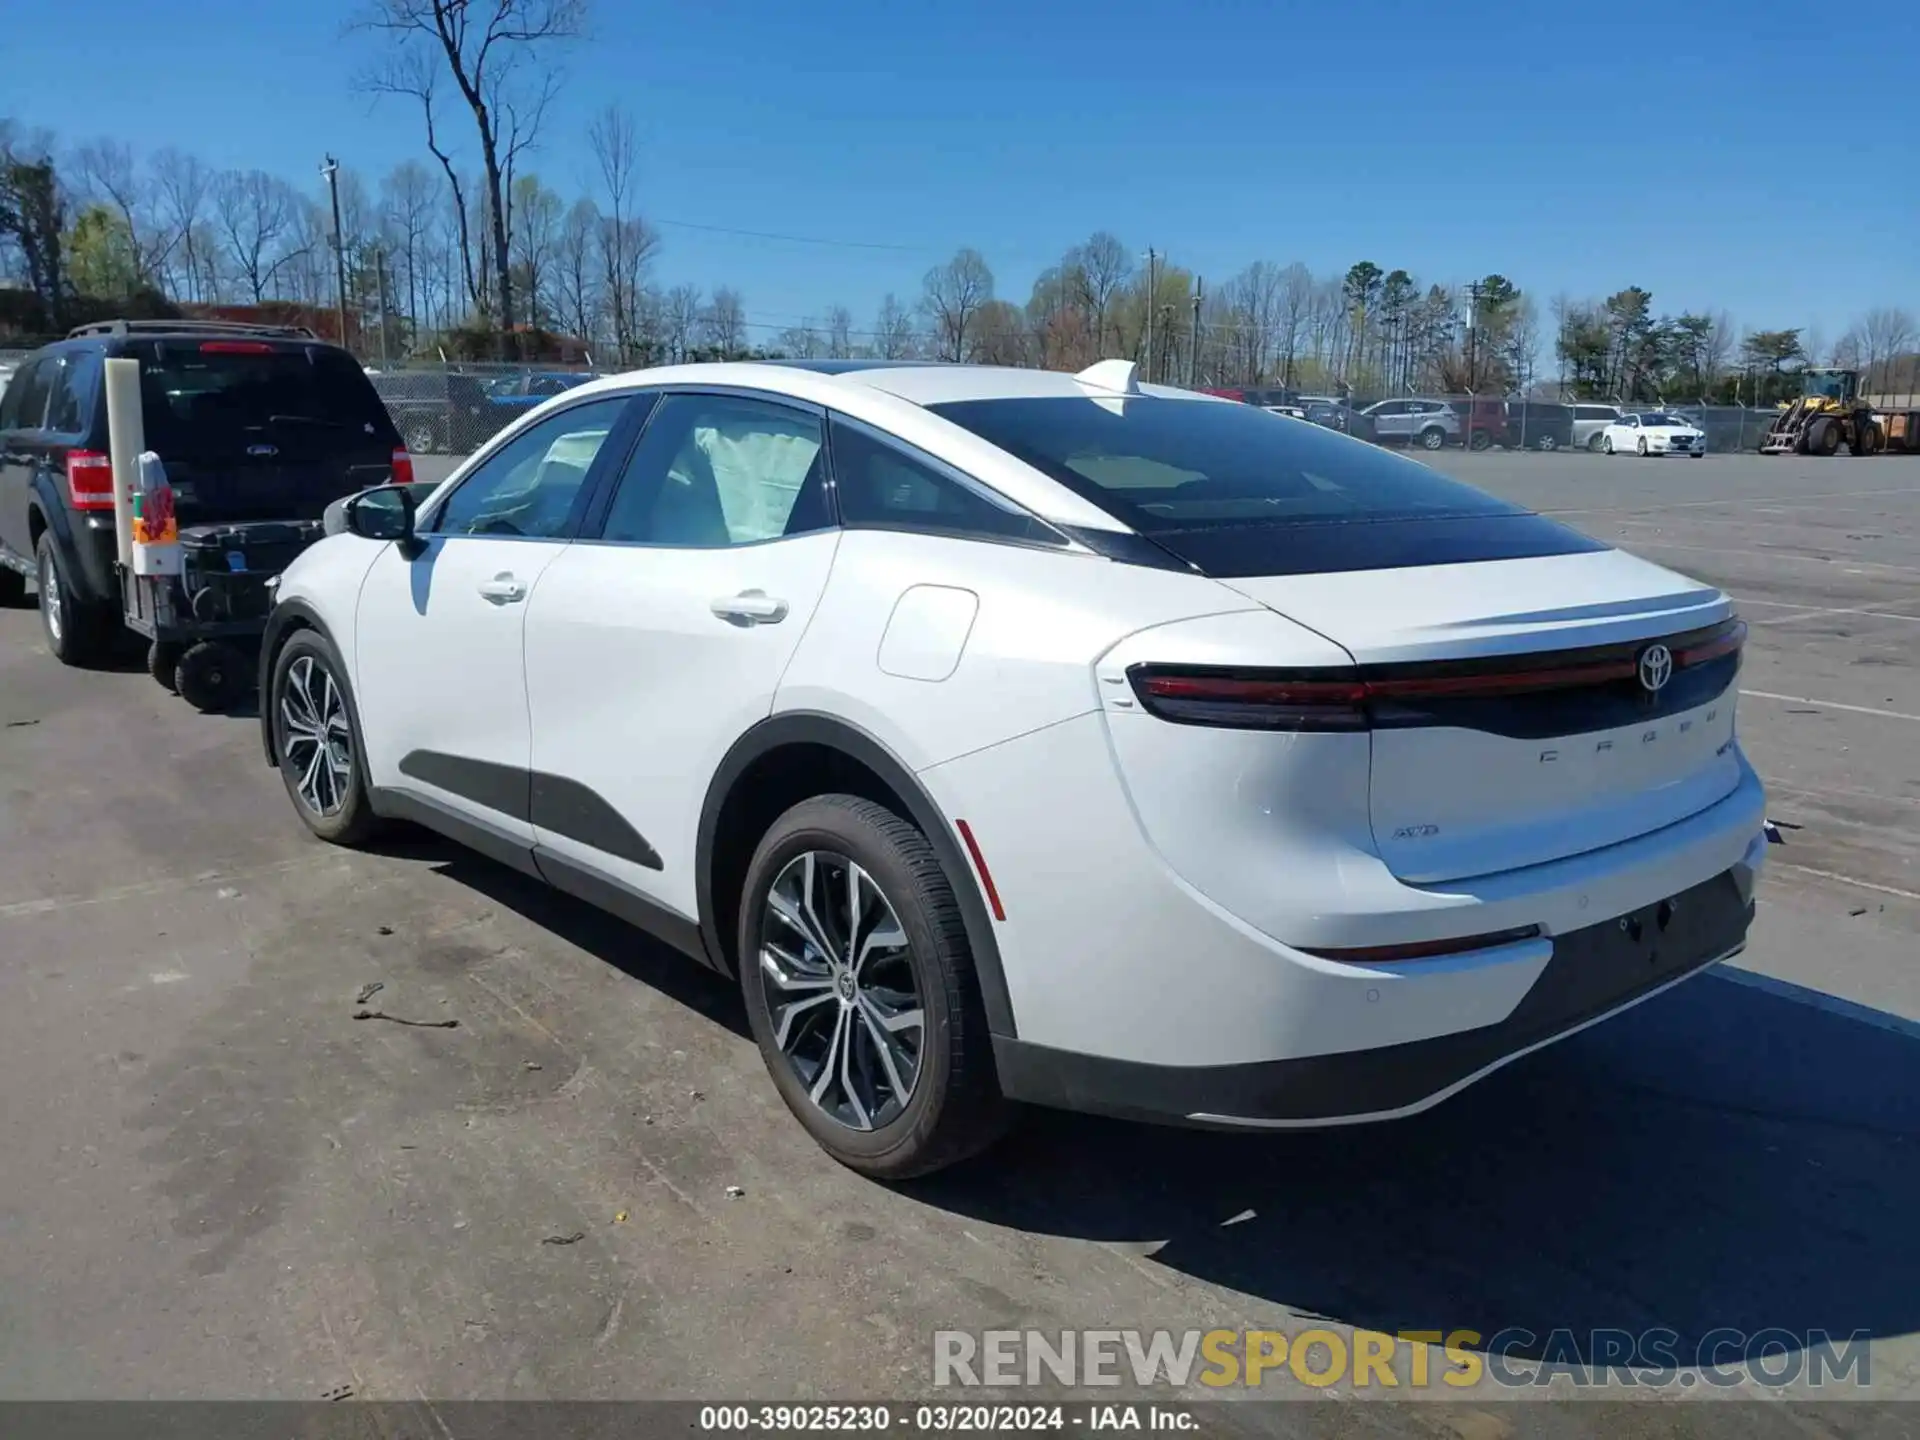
[[842, 990]]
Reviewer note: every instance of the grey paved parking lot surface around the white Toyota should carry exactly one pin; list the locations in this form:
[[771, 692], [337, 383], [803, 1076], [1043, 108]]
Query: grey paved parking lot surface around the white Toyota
[[218, 1184]]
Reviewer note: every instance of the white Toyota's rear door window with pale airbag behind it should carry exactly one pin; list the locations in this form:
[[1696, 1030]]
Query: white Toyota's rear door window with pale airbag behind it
[[721, 471]]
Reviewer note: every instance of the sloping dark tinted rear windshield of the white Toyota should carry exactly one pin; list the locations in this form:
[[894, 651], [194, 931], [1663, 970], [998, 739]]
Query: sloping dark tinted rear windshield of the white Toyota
[[1243, 492]]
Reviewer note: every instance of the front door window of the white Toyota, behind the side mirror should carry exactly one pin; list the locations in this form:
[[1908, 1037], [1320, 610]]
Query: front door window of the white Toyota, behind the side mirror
[[531, 485]]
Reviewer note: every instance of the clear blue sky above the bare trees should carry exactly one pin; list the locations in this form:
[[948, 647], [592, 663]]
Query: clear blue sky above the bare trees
[[1570, 149]]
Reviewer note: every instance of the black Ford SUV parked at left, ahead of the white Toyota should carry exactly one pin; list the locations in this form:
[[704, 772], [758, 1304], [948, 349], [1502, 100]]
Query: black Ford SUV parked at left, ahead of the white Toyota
[[254, 423]]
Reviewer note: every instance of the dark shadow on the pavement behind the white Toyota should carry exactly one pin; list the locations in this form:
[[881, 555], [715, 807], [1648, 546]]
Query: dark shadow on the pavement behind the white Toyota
[[1721, 1159]]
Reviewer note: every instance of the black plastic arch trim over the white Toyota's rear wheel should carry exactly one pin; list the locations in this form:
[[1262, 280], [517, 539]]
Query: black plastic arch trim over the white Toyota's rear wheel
[[794, 757]]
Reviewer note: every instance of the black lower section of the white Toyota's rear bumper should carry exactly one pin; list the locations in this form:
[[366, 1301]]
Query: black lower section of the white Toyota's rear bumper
[[1595, 974]]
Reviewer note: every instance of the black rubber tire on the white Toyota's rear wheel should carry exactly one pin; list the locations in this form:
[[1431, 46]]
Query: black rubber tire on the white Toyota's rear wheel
[[953, 1109]]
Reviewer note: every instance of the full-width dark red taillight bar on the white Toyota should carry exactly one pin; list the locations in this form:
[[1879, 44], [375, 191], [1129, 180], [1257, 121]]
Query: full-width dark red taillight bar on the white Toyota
[[1345, 700]]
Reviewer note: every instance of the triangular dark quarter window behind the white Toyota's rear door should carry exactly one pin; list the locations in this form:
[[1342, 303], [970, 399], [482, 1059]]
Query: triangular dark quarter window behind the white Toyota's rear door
[[884, 487]]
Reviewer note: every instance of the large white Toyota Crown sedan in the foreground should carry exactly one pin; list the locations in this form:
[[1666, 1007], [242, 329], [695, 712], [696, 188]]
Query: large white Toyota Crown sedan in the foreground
[[1022, 736]]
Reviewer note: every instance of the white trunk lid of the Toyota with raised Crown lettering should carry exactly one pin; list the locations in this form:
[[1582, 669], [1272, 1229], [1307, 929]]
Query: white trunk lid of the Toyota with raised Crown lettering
[[1483, 779]]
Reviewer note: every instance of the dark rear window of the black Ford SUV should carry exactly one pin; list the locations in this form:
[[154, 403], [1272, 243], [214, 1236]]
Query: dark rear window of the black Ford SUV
[[206, 396]]
